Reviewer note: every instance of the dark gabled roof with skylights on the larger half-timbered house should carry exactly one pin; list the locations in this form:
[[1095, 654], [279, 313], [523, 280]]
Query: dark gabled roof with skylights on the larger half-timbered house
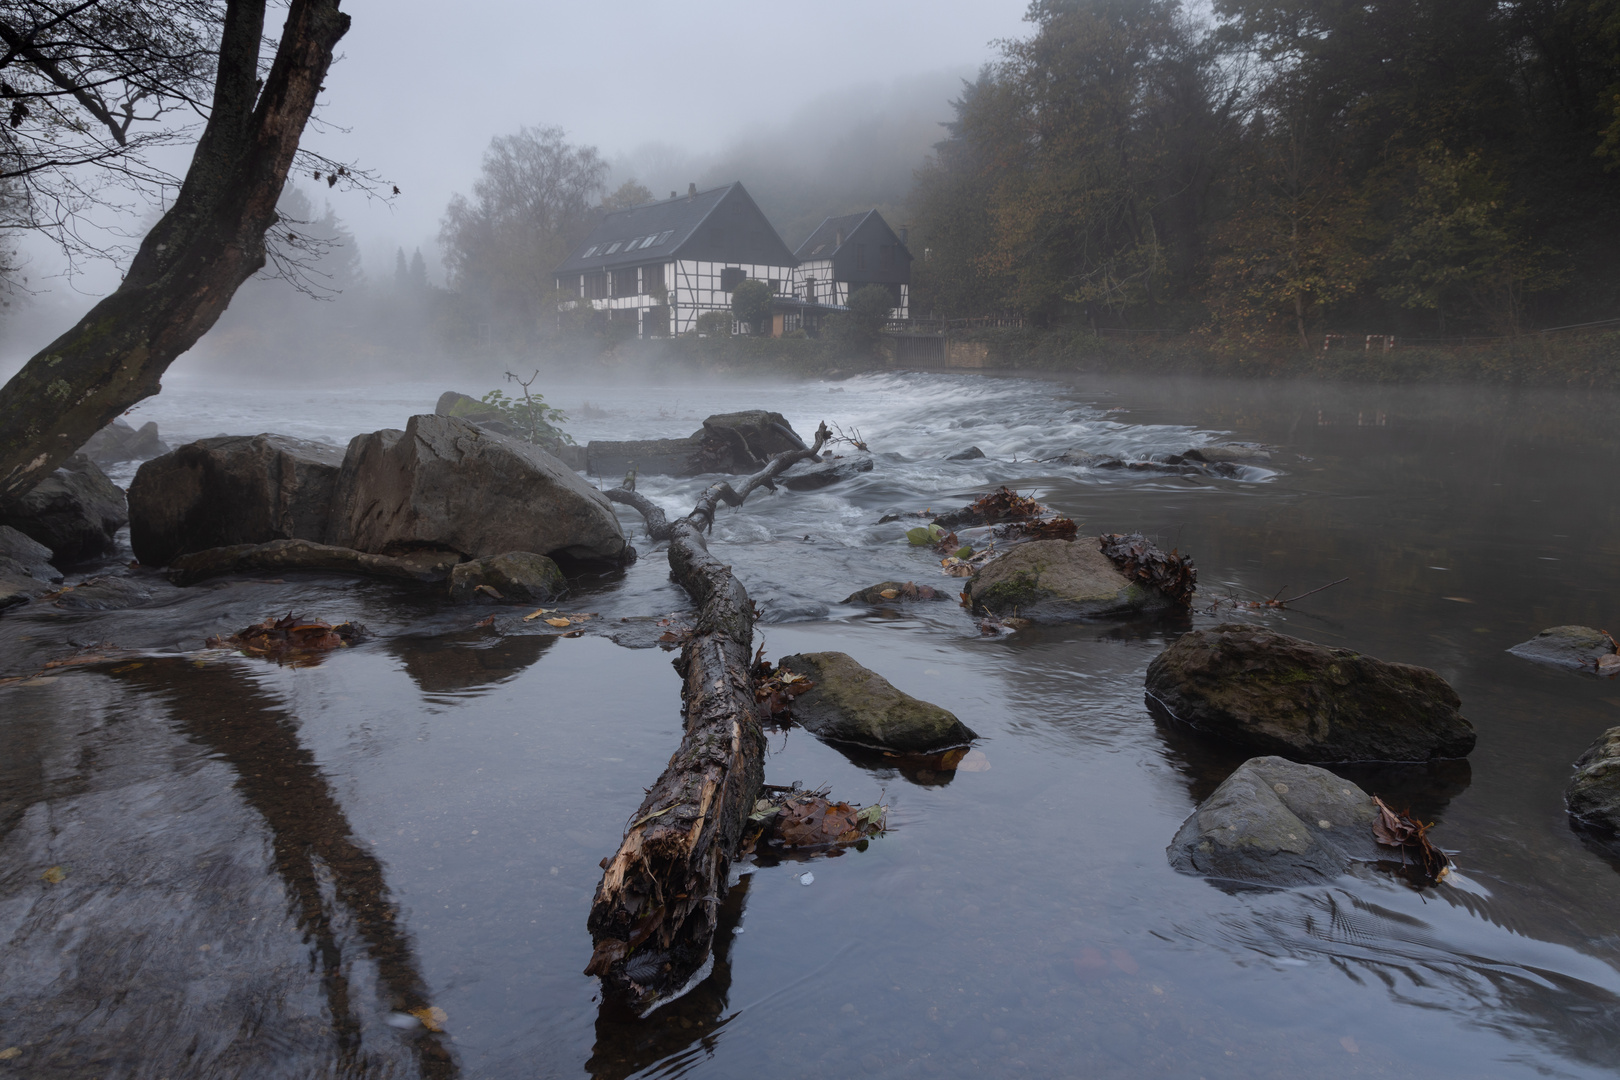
[[659, 231]]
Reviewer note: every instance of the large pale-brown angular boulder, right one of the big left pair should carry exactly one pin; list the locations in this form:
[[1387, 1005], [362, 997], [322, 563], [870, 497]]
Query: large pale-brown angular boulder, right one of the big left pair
[[443, 483]]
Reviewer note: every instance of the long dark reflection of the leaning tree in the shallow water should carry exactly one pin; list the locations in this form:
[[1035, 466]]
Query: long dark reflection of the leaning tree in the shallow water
[[328, 877]]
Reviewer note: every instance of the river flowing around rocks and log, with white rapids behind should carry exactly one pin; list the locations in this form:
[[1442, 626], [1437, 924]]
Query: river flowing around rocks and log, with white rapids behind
[[215, 867]]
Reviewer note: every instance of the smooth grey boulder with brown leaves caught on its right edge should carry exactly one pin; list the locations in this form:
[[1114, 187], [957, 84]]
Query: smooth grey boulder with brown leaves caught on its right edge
[[1279, 823]]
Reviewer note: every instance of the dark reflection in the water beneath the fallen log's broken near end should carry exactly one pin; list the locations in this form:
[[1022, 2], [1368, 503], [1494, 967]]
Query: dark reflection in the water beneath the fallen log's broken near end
[[681, 1034]]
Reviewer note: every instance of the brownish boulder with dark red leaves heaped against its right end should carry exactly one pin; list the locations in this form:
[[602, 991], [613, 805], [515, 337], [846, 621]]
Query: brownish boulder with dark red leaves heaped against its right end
[[1054, 582]]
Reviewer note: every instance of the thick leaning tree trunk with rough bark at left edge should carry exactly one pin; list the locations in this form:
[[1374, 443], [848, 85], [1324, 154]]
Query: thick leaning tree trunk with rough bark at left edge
[[192, 263]]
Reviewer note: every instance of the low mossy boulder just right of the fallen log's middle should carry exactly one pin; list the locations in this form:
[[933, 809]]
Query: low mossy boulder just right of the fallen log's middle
[[856, 705]]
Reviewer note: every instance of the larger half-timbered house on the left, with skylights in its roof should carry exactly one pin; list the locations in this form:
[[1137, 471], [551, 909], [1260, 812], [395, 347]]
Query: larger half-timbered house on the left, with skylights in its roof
[[667, 263]]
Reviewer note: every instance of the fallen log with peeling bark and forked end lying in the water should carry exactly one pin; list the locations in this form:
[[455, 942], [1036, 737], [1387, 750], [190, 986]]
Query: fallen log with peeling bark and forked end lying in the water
[[657, 908]]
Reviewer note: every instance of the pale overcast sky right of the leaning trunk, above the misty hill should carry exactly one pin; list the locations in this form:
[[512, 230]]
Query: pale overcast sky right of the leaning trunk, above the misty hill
[[425, 87]]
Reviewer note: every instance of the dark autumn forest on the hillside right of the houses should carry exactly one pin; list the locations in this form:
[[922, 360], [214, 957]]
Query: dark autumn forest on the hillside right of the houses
[[1282, 169]]
